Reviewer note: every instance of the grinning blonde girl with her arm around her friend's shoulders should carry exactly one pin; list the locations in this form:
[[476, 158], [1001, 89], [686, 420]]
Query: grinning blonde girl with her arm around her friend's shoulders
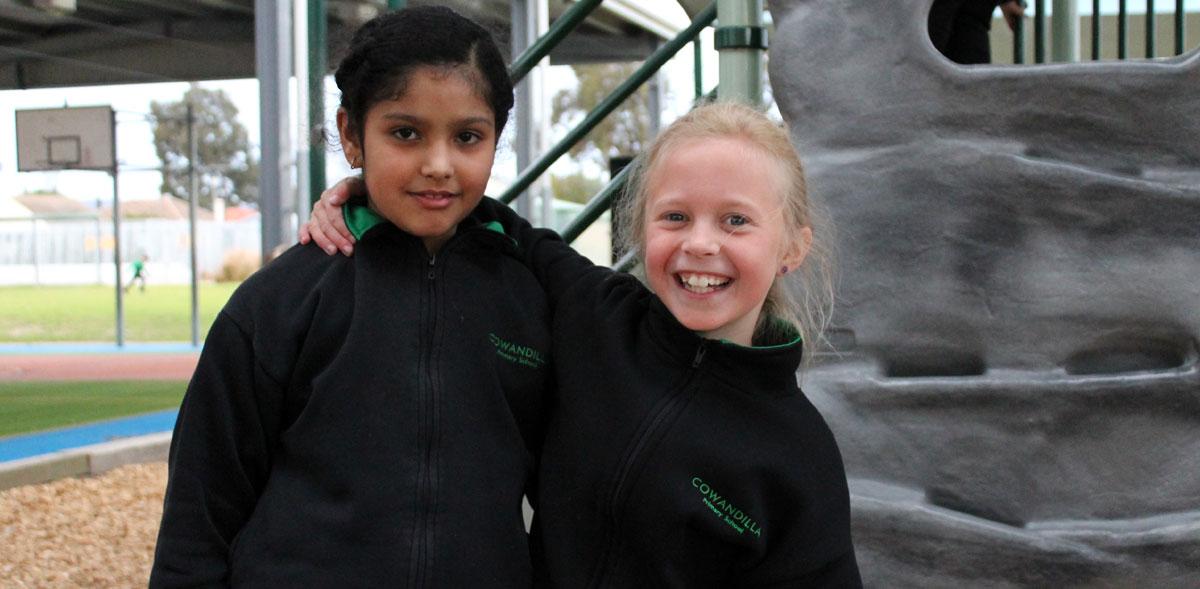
[[681, 452]]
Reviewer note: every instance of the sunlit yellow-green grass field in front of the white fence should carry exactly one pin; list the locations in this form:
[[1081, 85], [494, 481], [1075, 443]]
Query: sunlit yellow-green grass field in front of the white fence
[[88, 314]]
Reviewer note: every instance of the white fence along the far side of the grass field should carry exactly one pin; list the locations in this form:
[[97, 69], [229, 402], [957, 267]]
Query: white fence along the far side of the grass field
[[79, 250]]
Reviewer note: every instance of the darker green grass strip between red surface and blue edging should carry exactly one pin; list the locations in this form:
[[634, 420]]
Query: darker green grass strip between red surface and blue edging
[[29, 407]]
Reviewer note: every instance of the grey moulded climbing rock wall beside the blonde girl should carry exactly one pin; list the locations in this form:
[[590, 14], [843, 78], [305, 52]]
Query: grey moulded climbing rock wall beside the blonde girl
[[1018, 393]]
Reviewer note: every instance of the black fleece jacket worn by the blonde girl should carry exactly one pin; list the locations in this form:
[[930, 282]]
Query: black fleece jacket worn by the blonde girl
[[673, 461]]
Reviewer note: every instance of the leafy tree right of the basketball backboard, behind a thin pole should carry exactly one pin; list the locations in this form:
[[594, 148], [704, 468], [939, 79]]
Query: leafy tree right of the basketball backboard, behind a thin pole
[[226, 167]]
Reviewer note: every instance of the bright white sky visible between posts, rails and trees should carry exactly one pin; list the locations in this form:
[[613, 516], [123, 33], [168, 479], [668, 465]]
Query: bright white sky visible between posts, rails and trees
[[135, 148]]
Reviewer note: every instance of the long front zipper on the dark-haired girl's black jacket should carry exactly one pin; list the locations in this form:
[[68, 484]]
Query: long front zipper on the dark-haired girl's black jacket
[[425, 436]]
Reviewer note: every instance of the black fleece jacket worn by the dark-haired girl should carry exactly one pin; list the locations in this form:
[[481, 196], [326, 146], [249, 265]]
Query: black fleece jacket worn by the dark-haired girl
[[367, 422]]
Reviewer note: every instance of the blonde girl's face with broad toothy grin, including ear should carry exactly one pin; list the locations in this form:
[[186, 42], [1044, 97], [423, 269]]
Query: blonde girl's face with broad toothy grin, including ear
[[716, 237]]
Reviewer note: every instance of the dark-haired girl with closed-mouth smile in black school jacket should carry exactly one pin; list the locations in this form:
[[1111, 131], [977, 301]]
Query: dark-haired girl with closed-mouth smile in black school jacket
[[365, 422]]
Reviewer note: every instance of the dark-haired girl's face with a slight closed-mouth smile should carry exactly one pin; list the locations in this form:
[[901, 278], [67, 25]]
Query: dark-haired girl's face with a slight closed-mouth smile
[[427, 155]]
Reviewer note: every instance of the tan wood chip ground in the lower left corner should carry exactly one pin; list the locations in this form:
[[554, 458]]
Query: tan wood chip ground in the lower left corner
[[95, 533]]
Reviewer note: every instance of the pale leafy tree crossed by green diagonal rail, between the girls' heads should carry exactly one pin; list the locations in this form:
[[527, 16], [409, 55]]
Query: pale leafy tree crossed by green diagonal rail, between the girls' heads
[[623, 133]]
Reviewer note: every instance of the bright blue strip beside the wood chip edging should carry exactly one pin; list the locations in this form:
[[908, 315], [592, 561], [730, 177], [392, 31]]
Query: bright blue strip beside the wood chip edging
[[37, 444]]
